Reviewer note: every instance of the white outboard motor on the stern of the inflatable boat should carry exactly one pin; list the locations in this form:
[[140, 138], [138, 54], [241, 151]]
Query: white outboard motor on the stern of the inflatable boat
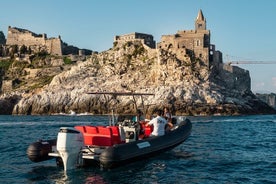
[[69, 145]]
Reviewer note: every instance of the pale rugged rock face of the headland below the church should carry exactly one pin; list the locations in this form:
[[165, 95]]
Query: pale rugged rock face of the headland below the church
[[187, 87]]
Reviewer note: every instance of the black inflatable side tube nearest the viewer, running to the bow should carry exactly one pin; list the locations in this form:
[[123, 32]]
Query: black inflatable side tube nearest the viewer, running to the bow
[[125, 153]]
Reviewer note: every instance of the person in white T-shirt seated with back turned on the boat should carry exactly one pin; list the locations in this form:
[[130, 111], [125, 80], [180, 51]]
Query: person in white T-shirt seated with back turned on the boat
[[158, 123]]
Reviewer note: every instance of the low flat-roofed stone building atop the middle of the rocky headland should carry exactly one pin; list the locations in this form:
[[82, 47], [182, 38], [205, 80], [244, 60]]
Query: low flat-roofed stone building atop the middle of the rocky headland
[[146, 39]]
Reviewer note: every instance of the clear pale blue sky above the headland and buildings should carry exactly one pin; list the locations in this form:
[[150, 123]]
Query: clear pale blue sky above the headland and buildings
[[243, 30]]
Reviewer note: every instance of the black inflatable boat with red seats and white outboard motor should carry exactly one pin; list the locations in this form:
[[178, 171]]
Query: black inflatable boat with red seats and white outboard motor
[[107, 146]]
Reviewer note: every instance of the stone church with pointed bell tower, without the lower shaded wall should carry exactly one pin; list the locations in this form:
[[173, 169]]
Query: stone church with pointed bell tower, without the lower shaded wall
[[195, 43]]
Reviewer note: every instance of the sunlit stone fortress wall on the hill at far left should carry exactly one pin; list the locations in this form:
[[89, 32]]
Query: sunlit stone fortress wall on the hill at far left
[[37, 42]]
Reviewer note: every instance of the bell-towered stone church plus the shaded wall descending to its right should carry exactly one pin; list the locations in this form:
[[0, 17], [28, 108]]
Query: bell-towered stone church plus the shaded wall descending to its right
[[195, 44]]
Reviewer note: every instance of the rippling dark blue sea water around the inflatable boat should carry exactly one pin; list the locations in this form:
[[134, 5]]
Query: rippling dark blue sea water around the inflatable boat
[[220, 150]]
